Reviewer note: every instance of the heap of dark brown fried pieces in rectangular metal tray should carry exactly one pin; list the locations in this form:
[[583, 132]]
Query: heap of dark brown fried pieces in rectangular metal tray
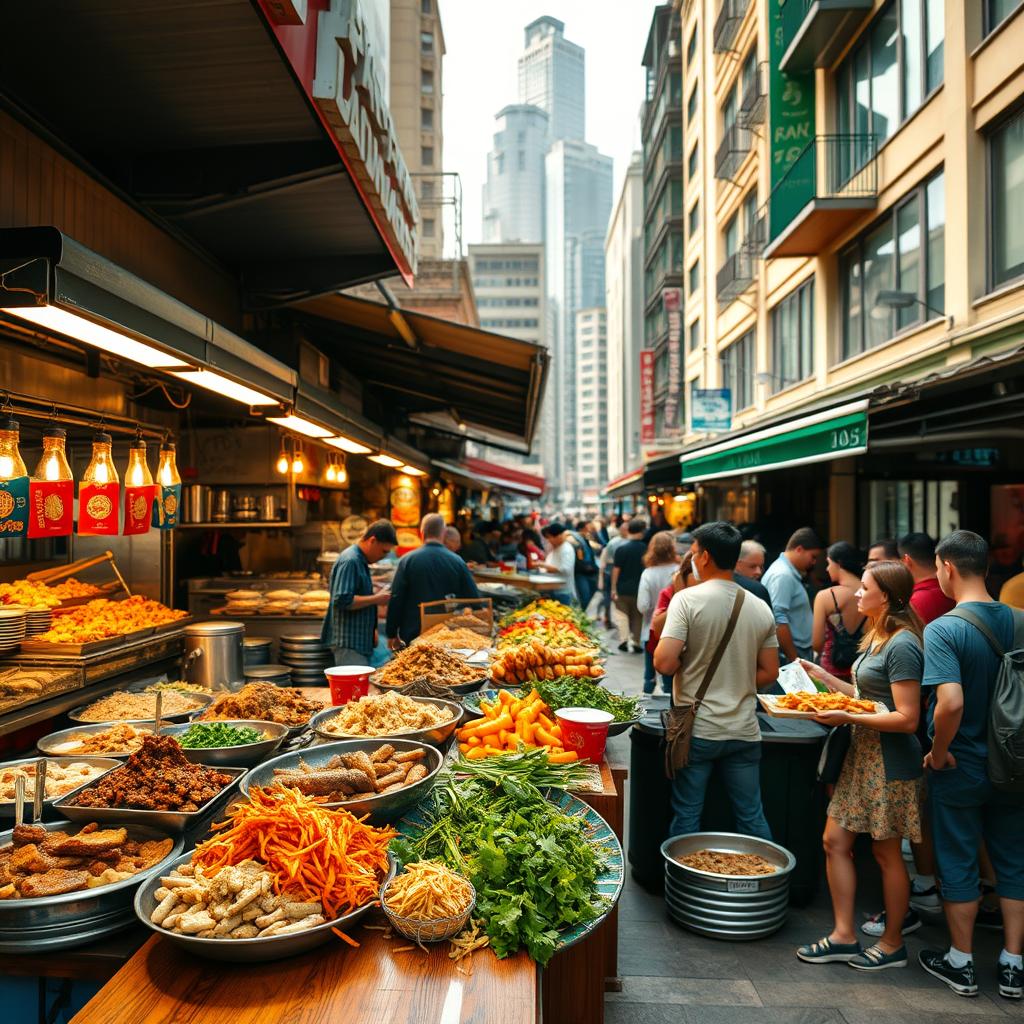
[[159, 778]]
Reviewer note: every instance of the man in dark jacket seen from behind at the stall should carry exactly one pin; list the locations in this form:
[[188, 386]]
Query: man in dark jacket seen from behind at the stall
[[429, 574]]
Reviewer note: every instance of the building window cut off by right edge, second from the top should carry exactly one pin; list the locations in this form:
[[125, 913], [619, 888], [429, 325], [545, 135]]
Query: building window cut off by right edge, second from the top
[[1006, 151]]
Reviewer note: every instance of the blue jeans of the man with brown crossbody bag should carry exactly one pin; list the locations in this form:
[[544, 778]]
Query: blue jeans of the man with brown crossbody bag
[[741, 764]]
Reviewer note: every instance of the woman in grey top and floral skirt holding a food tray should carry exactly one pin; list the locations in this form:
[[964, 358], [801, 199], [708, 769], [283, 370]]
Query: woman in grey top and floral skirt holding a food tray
[[878, 788]]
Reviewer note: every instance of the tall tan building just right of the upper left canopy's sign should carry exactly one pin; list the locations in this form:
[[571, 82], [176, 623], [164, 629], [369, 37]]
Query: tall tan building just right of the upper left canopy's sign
[[417, 54]]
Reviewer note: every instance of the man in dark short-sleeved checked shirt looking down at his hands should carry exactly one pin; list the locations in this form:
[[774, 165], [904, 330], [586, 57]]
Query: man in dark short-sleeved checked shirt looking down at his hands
[[351, 624]]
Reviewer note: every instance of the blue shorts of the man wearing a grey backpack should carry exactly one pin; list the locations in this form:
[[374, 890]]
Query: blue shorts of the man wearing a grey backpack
[[966, 809]]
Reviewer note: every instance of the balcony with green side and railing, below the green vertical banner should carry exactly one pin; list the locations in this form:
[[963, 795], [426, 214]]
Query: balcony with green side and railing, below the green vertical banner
[[831, 185]]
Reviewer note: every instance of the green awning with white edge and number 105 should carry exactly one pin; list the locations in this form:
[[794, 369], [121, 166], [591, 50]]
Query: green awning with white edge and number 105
[[833, 434]]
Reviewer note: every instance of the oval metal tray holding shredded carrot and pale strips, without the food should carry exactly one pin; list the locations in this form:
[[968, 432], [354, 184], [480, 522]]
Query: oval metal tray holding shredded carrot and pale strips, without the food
[[247, 951]]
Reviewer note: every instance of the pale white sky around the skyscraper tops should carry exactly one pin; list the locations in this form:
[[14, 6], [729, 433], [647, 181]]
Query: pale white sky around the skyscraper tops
[[484, 40]]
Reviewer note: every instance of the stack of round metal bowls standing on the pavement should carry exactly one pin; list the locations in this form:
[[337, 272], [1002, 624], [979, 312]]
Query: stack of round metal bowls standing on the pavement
[[728, 907]]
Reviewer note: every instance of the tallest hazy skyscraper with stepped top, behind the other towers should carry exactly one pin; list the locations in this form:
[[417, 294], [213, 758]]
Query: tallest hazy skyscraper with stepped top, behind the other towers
[[551, 76]]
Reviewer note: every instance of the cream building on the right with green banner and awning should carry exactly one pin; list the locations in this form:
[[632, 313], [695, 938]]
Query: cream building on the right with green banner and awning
[[876, 372]]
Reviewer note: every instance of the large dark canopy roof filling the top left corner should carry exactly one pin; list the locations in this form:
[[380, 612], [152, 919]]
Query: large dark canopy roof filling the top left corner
[[198, 113]]
